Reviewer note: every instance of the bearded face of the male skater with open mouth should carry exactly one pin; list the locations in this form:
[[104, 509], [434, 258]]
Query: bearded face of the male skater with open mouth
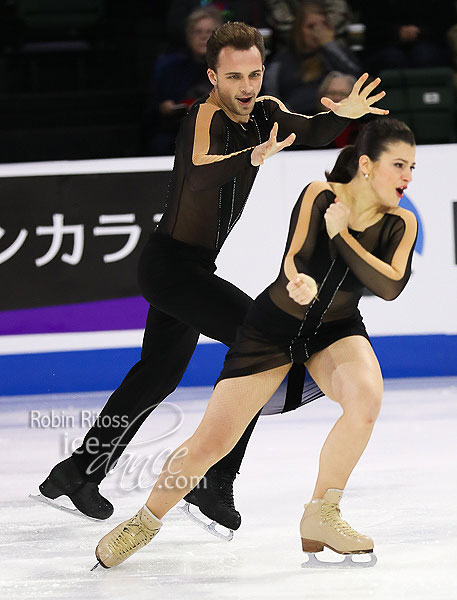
[[238, 79]]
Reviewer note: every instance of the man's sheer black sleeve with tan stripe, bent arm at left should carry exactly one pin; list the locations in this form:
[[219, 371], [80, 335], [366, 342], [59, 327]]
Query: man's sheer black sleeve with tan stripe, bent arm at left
[[207, 166]]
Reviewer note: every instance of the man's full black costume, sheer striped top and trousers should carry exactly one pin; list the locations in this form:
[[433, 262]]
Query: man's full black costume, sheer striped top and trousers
[[210, 183]]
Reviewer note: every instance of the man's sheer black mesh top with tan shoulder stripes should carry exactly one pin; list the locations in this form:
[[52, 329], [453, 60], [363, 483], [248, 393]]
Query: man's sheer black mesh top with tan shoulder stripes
[[212, 175]]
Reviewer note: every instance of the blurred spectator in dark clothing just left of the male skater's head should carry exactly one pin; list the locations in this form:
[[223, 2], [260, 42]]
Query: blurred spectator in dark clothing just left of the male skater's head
[[179, 79]]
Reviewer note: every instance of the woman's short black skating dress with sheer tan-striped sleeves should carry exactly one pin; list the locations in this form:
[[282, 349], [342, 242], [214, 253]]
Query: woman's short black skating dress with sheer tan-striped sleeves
[[278, 330]]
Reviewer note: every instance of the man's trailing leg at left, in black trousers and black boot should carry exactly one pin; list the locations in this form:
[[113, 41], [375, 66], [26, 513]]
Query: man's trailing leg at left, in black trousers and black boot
[[168, 346]]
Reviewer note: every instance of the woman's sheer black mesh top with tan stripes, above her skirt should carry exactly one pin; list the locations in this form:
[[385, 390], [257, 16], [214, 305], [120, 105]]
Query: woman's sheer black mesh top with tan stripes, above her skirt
[[378, 258]]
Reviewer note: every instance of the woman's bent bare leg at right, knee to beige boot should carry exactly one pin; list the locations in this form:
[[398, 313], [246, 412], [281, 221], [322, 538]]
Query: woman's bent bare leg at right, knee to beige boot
[[348, 372]]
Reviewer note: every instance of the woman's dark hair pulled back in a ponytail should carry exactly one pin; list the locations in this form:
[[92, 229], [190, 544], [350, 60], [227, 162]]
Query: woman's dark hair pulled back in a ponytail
[[371, 140]]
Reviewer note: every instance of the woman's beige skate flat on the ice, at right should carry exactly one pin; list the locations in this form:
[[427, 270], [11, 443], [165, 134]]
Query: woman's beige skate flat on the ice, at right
[[322, 525]]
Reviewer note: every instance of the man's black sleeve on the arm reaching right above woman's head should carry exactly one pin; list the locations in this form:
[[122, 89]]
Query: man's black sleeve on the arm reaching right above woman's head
[[318, 130]]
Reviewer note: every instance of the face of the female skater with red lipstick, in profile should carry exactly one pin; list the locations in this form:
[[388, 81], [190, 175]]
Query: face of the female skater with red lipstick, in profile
[[391, 173]]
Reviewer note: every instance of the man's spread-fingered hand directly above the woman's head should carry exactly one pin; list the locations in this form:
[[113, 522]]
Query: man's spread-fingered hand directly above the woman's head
[[358, 103]]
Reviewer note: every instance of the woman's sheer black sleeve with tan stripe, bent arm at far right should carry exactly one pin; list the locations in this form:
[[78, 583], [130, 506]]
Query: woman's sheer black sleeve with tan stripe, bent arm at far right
[[387, 274]]
